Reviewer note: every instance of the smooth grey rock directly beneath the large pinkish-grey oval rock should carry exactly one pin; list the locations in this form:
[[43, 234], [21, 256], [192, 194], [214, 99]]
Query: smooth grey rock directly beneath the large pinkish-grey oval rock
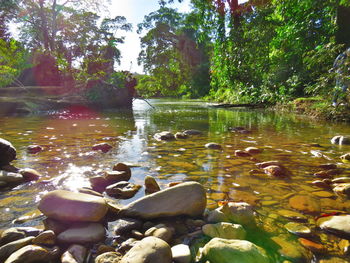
[[83, 233]]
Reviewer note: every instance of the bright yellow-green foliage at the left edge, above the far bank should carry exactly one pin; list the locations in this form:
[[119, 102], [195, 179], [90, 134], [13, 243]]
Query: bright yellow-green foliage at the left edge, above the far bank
[[12, 61]]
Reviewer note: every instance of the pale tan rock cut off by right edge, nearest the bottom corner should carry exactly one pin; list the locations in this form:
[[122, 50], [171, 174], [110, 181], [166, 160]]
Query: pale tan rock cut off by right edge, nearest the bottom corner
[[338, 225]]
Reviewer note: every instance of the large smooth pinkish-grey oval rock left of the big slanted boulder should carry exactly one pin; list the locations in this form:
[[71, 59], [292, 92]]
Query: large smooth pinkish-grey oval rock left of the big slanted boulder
[[69, 206]]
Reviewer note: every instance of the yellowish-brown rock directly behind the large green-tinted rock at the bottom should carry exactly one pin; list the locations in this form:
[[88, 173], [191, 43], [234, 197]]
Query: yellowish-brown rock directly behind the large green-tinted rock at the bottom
[[224, 230]]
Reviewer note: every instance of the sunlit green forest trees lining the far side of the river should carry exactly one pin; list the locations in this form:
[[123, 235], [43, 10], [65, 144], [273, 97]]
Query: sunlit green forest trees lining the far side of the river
[[261, 51]]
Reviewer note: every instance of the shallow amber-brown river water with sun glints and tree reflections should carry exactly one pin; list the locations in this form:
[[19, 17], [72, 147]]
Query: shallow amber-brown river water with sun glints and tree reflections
[[67, 160]]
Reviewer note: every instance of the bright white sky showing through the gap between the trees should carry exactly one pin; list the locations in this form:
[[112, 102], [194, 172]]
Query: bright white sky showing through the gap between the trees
[[134, 12]]
